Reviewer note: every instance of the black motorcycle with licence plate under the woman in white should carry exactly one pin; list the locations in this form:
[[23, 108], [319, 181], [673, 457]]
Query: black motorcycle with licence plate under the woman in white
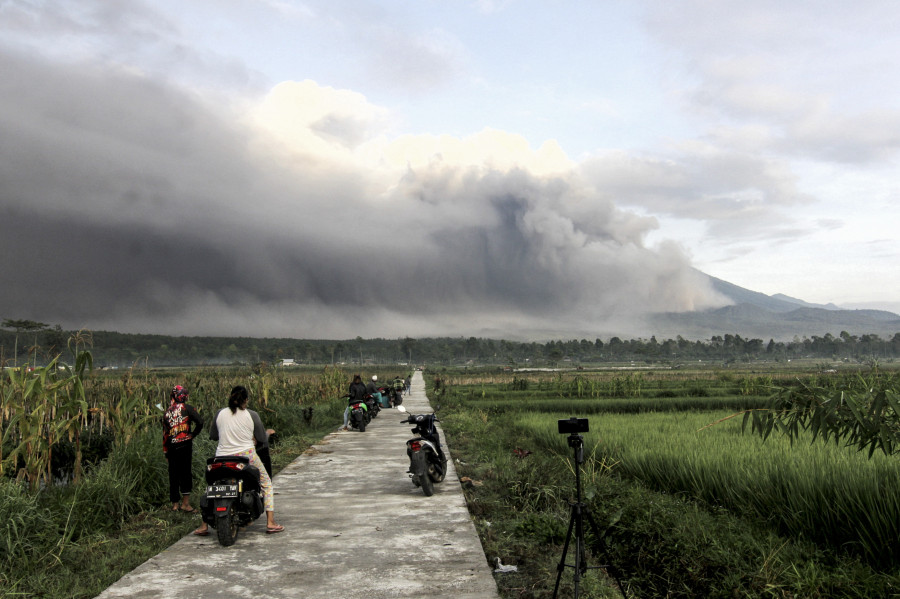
[[233, 496]]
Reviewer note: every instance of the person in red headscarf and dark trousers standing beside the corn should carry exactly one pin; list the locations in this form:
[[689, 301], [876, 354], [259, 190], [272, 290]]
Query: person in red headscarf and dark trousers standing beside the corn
[[181, 423]]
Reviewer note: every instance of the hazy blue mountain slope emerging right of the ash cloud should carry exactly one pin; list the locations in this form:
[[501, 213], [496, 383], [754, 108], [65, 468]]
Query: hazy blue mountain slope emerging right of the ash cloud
[[779, 317]]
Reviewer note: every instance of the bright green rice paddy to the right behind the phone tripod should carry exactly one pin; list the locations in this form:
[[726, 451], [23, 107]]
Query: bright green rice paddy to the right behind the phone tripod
[[832, 495]]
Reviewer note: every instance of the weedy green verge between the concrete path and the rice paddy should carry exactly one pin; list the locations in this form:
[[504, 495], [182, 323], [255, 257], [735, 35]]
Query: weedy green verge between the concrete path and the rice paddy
[[660, 543]]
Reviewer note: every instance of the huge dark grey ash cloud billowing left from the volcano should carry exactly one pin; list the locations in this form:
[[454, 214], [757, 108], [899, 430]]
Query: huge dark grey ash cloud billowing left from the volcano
[[132, 205]]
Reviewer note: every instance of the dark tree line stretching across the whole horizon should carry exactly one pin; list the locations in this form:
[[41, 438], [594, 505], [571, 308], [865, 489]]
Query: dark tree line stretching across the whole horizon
[[32, 343]]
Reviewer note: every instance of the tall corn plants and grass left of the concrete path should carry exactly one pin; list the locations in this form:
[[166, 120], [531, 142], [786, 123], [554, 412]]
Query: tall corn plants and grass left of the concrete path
[[83, 483]]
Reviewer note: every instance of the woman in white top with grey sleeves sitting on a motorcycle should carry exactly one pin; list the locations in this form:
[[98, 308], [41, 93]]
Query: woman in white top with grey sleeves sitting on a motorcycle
[[238, 430]]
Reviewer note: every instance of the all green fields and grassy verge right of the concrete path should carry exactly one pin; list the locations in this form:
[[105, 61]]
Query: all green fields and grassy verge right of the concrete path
[[689, 499]]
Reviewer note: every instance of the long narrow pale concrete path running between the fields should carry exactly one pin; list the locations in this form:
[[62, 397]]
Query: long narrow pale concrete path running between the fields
[[355, 528]]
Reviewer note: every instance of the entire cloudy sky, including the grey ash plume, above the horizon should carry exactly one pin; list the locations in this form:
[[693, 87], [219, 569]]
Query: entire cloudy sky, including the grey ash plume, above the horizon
[[507, 168]]
